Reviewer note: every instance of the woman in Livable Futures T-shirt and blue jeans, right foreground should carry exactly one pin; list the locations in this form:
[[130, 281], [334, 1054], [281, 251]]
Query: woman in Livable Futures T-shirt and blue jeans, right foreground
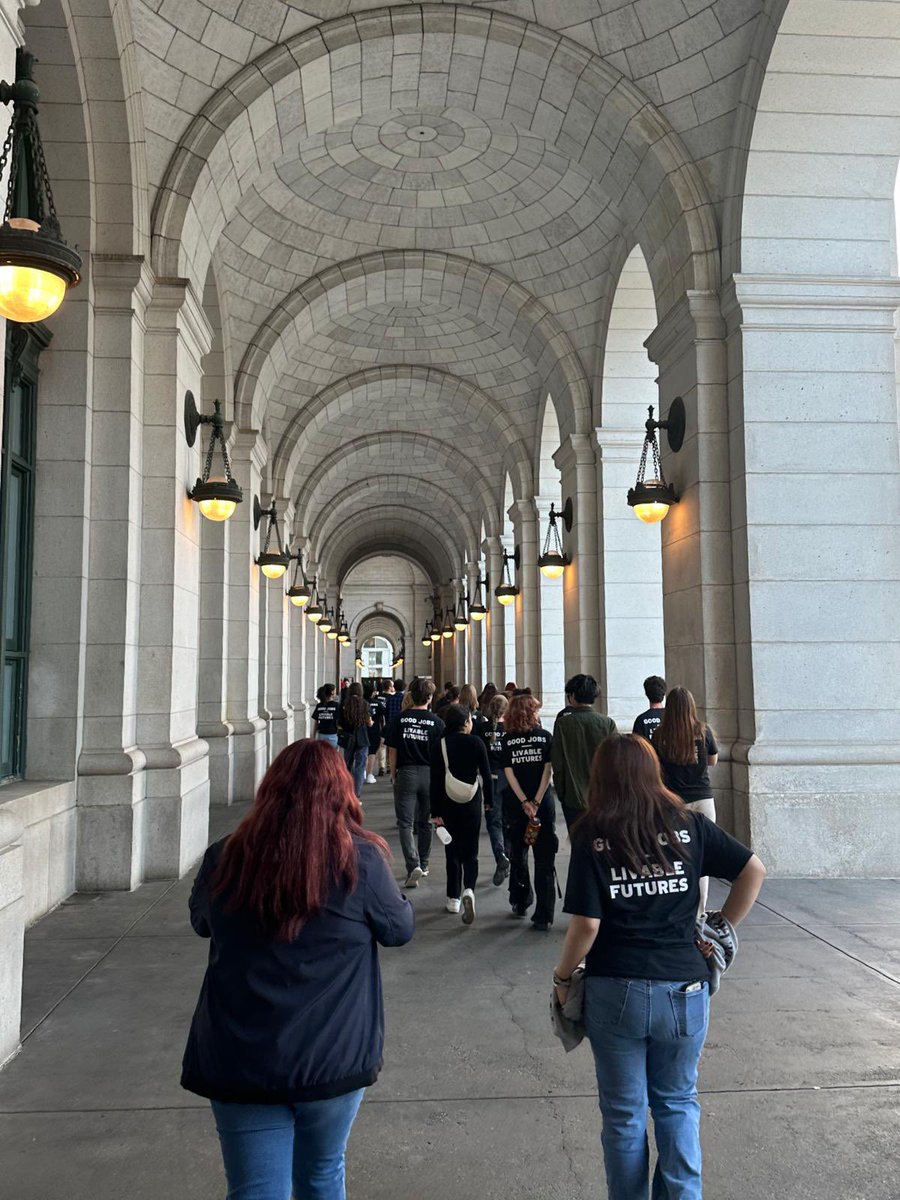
[[634, 887]]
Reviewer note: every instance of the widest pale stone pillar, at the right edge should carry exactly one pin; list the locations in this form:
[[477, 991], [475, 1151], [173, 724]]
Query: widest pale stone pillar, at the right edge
[[815, 501]]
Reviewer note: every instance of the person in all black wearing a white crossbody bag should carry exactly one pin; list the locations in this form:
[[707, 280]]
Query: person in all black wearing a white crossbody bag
[[460, 787]]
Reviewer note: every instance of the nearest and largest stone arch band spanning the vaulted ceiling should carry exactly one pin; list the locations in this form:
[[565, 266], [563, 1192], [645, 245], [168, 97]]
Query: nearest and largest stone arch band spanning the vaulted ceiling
[[542, 81]]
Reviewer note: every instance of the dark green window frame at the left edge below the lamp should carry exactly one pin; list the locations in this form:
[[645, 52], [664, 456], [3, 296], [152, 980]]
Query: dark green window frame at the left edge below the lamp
[[17, 524]]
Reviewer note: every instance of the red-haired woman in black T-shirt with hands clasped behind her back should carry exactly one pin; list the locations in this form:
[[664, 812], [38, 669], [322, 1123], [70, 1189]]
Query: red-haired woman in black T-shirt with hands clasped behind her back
[[530, 811]]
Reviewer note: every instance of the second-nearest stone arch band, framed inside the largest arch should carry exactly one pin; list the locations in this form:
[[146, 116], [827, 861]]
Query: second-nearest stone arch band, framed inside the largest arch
[[487, 293]]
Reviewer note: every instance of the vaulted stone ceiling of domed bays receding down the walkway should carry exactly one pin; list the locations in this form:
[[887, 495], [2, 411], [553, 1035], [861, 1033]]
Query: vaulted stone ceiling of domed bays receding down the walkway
[[417, 226]]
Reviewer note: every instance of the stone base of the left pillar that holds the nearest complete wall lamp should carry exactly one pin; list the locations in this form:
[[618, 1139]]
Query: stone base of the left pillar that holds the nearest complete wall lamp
[[177, 808]]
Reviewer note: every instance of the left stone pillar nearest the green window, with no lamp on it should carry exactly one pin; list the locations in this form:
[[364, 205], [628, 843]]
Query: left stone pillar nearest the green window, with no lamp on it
[[111, 778]]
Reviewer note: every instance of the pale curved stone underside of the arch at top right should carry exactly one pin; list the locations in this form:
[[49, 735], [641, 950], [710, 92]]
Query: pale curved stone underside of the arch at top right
[[812, 177]]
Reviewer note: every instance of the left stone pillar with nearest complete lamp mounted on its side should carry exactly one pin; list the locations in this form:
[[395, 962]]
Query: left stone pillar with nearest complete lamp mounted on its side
[[178, 335]]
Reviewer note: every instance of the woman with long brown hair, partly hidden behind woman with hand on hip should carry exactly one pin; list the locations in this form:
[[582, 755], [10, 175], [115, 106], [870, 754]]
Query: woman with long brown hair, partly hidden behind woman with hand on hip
[[687, 749]]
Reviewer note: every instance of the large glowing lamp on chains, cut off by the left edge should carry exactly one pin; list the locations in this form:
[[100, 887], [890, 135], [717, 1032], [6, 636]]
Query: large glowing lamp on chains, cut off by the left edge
[[37, 266]]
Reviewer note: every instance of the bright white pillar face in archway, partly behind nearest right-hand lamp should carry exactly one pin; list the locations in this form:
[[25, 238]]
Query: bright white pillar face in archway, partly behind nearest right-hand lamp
[[634, 645]]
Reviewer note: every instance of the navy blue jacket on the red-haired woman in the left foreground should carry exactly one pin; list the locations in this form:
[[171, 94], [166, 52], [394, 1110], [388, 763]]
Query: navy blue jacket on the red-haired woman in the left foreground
[[279, 1023]]
